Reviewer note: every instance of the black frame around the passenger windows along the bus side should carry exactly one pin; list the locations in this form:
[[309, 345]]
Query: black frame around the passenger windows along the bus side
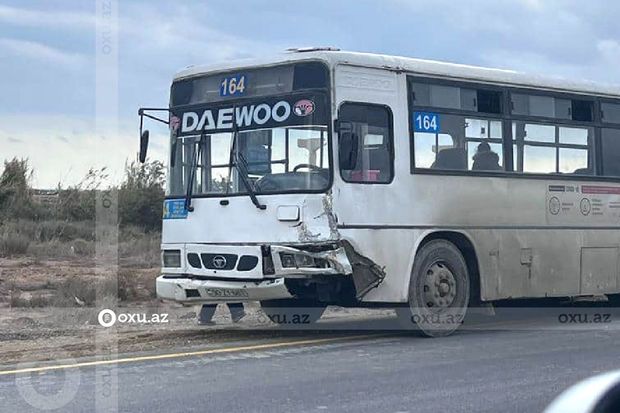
[[506, 117]]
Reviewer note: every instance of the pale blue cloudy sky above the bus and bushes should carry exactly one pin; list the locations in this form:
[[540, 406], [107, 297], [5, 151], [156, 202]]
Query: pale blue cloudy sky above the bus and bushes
[[47, 56]]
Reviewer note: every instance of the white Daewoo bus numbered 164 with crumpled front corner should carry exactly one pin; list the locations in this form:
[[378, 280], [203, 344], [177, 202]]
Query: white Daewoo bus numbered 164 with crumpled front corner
[[328, 177]]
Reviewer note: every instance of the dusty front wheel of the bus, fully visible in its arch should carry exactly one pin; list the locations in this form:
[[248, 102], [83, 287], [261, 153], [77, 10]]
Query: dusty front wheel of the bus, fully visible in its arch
[[438, 291]]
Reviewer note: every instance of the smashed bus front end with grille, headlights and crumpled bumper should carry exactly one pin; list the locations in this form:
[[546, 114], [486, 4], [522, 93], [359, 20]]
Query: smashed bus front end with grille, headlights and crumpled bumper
[[198, 279]]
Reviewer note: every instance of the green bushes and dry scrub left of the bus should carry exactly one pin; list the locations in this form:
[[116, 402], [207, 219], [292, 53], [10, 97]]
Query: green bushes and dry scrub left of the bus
[[67, 228]]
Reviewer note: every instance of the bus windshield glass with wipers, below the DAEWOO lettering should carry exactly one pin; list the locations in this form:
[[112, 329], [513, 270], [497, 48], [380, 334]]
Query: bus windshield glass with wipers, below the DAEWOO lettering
[[276, 160]]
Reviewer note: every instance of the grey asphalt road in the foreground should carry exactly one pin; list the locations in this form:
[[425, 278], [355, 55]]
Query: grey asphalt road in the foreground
[[513, 369]]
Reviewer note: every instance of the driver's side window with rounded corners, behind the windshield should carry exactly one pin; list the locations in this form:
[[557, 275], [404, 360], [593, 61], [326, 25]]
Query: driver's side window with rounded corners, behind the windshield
[[372, 155]]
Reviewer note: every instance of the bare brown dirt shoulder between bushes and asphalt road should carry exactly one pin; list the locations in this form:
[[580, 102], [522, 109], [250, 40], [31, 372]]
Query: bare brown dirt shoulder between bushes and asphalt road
[[48, 311]]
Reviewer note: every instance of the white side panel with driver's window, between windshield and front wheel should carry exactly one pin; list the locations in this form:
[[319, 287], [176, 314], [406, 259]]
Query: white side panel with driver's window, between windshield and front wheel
[[371, 164]]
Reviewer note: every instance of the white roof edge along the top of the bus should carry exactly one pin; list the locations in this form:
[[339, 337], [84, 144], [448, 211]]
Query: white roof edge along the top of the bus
[[417, 66]]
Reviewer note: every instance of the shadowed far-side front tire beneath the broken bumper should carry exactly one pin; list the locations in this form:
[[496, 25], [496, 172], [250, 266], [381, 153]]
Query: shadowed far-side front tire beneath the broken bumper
[[292, 311]]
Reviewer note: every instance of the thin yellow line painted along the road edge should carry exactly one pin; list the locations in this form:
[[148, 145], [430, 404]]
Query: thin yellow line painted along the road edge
[[186, 354]]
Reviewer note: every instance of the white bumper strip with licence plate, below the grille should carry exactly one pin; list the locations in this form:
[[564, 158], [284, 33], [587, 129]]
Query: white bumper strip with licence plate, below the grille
[[193, 291]]
